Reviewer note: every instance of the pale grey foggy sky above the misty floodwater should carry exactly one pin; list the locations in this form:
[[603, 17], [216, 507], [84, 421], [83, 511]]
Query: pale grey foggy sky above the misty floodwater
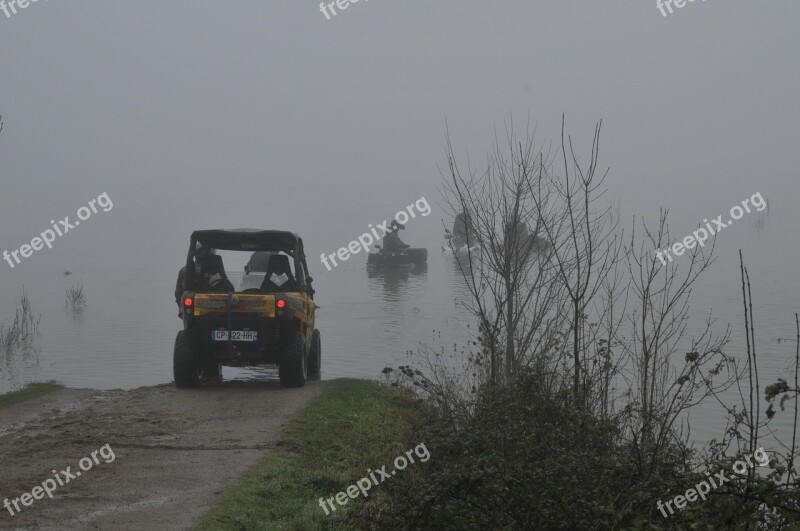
[[265, 114]]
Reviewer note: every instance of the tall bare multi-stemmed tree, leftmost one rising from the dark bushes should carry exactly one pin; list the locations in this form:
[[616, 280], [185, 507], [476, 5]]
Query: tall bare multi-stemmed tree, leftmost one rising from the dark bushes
[[513, 290]]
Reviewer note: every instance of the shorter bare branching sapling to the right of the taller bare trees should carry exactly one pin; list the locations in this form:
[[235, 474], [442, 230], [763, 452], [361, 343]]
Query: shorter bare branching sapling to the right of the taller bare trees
[[663, 389]]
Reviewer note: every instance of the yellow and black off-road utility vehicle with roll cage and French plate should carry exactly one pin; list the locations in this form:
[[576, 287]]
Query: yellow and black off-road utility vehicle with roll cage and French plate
[[270, 322]]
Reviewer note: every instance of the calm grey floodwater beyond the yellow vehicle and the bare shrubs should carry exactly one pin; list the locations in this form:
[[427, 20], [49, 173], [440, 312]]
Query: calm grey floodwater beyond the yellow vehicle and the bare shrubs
[[124, 337]]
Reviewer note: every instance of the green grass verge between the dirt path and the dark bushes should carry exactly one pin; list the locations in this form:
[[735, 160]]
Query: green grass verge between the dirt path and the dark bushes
[[354, 425]]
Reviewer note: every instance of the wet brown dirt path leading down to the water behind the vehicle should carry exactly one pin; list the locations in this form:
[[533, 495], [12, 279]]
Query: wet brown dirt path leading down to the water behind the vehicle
[[175, 451]]
